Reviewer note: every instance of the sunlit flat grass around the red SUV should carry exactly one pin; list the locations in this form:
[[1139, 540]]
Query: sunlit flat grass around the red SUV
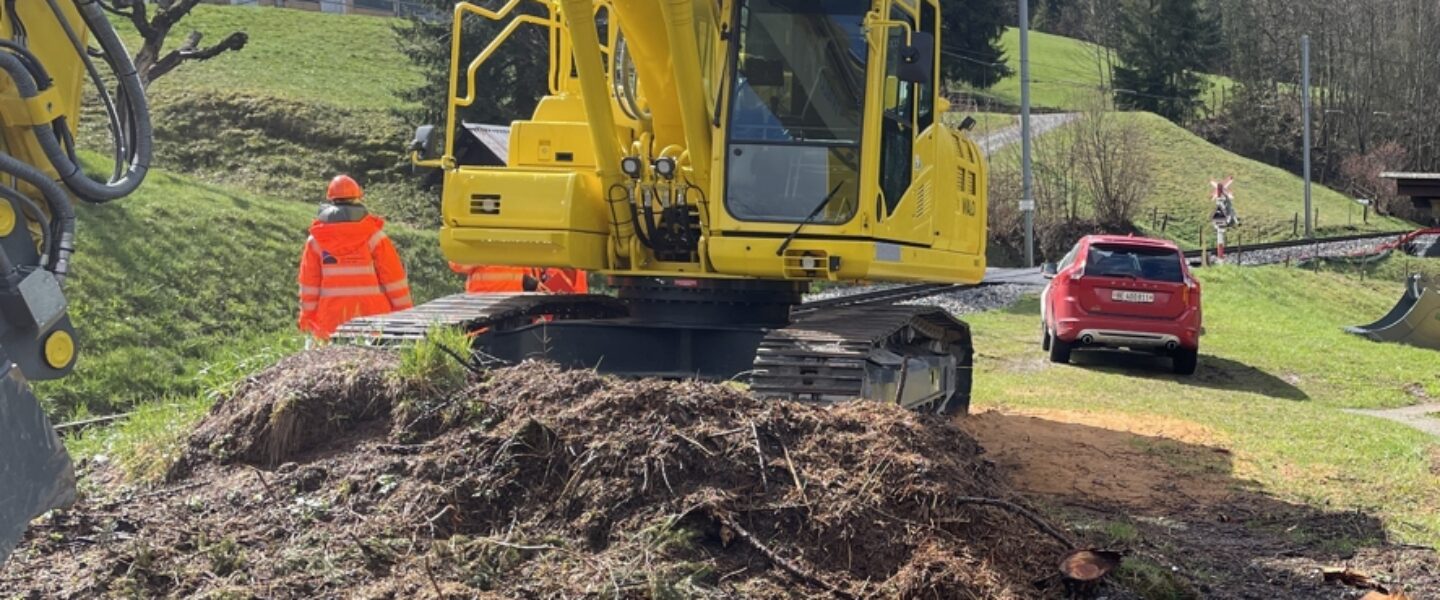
[[1277, 375]]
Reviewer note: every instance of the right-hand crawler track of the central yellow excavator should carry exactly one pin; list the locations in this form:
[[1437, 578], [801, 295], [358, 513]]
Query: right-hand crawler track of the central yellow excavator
[[918, 358]]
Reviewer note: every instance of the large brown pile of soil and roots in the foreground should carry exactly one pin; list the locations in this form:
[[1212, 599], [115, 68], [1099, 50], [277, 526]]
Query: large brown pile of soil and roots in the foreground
[[329, 476]]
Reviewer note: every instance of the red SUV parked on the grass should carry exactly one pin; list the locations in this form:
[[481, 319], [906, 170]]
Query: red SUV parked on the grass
[[1122, 293]]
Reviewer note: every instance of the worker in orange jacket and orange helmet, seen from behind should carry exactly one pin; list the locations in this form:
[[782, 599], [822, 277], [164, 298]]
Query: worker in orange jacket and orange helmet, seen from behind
[[349, 267]]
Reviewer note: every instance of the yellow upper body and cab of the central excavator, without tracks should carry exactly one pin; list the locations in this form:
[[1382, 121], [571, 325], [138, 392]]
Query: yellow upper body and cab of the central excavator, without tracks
[[764, 139]]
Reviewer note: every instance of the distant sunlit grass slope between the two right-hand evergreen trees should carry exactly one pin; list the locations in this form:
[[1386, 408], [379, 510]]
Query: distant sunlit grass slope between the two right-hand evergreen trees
[[1068, 74]]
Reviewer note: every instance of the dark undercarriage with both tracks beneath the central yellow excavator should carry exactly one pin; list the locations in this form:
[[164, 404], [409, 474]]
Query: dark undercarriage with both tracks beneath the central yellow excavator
[[918, 358]]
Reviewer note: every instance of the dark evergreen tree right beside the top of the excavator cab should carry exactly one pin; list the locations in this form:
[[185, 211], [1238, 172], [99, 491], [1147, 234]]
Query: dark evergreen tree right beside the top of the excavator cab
[[970, 37]]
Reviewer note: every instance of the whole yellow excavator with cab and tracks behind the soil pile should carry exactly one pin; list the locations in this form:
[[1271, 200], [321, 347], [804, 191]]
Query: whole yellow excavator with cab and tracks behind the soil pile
[[714, 159]]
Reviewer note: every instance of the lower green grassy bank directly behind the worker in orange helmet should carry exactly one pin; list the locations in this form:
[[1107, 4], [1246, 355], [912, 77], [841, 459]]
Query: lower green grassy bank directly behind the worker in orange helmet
[[185, 274]]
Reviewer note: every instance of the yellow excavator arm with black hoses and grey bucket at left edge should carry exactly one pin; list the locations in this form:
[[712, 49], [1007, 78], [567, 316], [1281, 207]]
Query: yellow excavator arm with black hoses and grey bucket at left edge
[[50, 53]]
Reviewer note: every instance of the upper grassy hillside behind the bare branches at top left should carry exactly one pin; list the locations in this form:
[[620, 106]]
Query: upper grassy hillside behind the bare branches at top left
[[309, 97]]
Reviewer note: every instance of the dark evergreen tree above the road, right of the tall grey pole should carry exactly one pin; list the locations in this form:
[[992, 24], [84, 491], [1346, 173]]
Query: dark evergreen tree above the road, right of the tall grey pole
[[1164, 47]]
